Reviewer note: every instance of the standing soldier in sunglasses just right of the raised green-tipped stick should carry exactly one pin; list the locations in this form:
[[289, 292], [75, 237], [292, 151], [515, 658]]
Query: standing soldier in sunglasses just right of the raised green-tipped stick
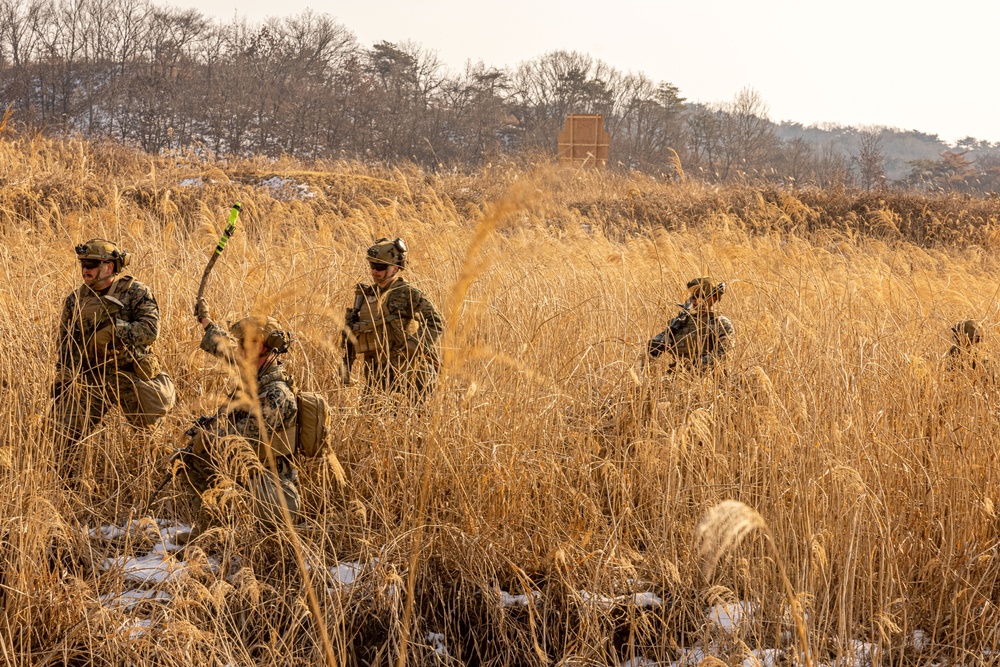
[[393, 326]]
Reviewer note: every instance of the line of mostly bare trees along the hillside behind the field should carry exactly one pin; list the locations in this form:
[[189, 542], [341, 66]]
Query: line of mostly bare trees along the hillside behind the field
[[166, 79]]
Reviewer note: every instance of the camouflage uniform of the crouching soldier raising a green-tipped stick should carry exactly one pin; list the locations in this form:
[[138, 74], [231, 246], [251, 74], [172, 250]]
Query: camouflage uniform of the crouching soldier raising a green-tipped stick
[[278, 412]]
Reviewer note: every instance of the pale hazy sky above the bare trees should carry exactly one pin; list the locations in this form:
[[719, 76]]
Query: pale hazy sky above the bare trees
[[927, 66]]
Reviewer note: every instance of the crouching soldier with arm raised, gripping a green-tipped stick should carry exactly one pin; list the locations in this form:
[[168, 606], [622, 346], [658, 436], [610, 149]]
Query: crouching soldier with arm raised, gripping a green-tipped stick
[[261, 413]]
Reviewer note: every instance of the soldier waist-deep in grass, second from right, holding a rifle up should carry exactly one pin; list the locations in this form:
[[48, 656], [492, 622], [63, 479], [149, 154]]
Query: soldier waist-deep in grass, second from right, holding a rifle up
[[697, 337]]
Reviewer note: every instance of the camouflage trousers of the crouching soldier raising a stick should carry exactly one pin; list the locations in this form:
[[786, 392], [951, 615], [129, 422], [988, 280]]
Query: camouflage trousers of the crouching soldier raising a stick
[[267, 494]]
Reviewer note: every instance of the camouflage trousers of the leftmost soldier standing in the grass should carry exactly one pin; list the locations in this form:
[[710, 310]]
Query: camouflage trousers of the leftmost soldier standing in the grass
[[79, 406]]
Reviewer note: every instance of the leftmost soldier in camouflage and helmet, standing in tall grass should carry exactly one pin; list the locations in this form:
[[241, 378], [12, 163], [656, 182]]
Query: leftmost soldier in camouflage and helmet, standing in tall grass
[[105, 348]]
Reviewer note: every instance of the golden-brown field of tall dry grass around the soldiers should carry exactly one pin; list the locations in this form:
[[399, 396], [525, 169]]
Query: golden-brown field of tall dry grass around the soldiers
[[544, 462]]
